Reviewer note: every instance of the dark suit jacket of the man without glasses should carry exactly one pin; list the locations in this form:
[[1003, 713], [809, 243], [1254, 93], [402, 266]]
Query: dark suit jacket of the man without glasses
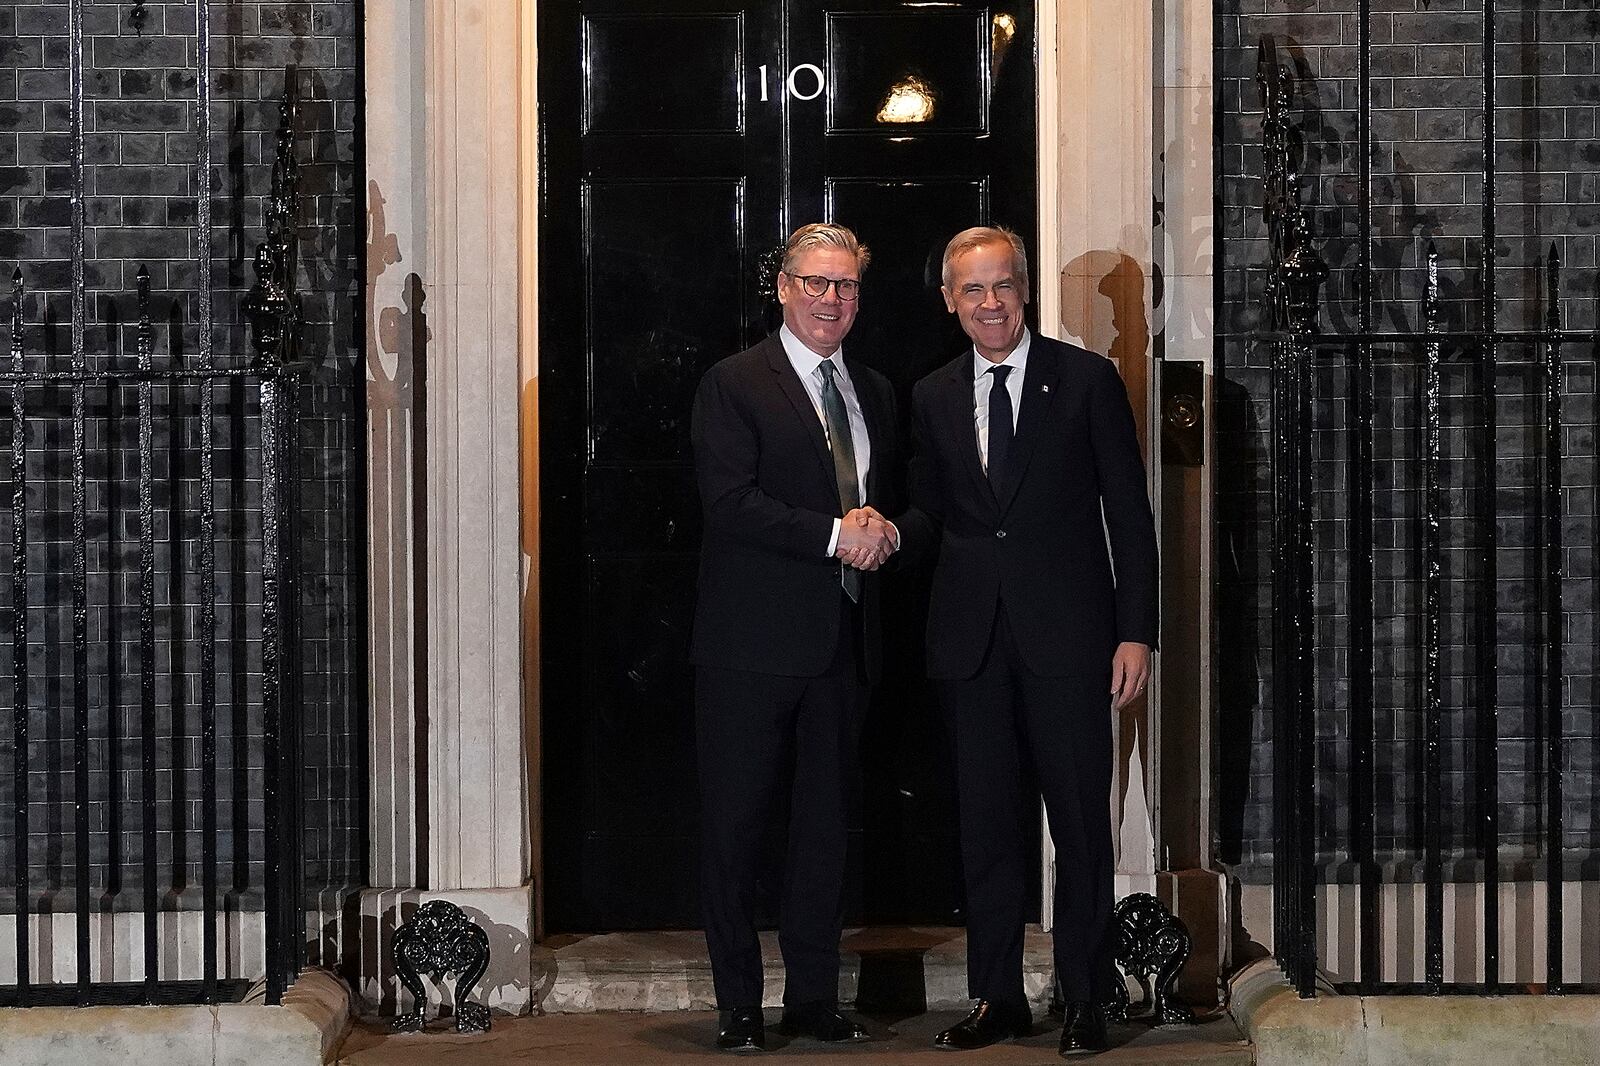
[[1038, 547]]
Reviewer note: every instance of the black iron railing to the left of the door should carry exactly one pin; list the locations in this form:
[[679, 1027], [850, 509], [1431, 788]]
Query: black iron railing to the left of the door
[[138, 779]]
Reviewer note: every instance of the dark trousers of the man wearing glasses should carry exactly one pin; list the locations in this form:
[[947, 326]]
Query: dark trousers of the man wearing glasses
[[751, 729]]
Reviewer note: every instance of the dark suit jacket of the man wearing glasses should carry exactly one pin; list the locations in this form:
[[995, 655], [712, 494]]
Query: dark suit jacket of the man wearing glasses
[[769, 593]]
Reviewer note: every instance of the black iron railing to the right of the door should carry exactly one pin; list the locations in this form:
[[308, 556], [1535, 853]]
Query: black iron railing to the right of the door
[[1308, 848]]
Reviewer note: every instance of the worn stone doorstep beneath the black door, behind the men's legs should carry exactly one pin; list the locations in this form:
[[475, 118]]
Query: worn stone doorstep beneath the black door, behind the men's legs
[[914, 969]]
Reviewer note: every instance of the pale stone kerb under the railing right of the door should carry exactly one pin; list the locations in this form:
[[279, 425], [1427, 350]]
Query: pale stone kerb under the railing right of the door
[[1393, 1030]]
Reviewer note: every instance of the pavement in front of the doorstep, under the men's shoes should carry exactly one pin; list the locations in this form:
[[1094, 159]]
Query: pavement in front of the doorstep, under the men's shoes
[[626, 1038]]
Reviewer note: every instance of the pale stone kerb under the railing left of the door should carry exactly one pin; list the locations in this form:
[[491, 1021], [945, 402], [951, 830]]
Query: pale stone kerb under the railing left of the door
[[305, 1032]]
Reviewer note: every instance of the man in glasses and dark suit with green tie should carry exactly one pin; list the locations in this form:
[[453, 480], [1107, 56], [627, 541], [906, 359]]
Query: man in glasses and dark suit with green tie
[[791, 444]]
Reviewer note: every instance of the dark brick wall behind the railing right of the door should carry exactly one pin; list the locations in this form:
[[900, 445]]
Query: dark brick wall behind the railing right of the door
[[1428, 186]]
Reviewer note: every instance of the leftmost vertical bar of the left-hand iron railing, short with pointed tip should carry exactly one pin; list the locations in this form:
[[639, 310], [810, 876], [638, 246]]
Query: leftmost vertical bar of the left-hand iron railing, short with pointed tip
[[20, 697]]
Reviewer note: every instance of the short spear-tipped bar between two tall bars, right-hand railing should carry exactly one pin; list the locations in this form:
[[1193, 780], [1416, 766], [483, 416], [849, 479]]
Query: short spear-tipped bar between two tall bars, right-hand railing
[[1433, 694]]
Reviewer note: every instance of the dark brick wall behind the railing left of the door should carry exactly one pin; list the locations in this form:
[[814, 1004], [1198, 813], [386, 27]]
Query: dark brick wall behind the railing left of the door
[[142, 209]]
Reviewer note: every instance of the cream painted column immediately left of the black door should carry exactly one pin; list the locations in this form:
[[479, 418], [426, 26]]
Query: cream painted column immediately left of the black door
[[478, 803]]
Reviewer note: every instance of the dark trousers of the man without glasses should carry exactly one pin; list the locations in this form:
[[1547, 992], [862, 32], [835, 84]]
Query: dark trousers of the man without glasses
[[1009, 724]]
